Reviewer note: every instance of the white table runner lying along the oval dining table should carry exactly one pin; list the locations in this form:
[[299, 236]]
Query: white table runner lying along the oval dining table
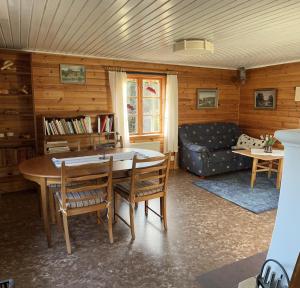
[[75, 161]]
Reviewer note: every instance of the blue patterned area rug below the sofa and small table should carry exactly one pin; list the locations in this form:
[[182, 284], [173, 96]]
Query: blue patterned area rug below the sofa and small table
[[235, 187]]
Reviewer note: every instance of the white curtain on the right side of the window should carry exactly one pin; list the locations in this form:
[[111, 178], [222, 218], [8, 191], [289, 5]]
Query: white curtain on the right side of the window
[[171, 115]]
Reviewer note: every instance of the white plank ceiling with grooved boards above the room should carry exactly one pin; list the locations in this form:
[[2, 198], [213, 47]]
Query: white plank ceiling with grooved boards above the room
[[246, 33]]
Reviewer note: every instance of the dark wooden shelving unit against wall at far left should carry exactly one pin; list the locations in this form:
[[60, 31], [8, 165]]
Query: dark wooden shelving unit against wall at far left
[[17, 136]]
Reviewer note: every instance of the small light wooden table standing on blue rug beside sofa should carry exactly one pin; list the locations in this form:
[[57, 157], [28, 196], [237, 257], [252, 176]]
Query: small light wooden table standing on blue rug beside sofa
[[264, 163]]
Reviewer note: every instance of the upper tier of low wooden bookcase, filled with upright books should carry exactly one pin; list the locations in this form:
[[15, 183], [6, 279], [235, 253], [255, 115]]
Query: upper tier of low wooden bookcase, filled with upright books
[[86, 127]]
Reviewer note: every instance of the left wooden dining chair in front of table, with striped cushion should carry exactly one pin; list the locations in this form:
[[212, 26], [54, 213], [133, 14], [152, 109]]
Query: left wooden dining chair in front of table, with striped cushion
[[84, 189]]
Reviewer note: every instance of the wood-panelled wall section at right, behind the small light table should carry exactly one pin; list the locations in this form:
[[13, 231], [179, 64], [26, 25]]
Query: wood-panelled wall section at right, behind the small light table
[[287, 113]]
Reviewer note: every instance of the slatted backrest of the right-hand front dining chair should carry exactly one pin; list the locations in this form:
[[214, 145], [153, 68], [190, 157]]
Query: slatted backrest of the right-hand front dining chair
[[150, 174]]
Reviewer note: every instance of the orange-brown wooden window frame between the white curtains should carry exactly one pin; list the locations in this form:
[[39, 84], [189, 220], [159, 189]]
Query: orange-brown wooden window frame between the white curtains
[[140, 115]]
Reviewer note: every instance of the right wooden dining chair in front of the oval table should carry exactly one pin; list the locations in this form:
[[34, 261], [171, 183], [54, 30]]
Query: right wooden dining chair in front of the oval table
[[148, 181]]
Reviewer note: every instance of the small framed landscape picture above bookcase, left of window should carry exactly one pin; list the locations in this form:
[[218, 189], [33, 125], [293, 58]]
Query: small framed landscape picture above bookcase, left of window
[[72, 74]]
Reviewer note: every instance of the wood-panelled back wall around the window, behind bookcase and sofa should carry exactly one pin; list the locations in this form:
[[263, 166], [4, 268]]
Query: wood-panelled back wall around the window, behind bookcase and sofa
[[51, 96]]
